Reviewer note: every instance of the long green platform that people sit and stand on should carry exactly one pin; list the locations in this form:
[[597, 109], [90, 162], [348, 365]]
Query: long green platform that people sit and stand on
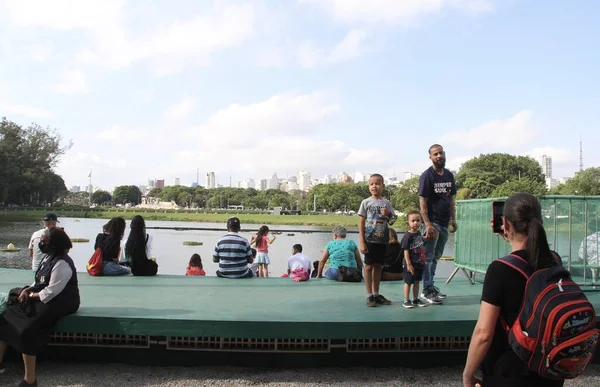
[[212, 313]]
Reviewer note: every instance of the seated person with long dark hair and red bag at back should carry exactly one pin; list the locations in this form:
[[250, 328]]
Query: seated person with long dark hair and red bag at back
[[110, 243]]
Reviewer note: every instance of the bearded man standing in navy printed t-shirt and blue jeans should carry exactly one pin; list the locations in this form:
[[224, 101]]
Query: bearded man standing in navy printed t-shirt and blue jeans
[[437, 199]]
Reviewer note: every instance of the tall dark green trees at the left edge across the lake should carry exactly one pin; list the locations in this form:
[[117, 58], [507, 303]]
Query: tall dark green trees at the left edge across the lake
[[27, 158]]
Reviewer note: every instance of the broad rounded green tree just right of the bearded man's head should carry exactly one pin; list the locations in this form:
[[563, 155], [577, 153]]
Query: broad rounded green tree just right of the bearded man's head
[[484, 174]]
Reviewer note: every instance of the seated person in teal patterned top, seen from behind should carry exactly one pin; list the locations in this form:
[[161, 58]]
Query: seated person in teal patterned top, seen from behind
[[340, 252]]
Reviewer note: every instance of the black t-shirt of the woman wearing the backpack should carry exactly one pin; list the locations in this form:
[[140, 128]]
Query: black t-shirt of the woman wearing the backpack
[[505, 287]]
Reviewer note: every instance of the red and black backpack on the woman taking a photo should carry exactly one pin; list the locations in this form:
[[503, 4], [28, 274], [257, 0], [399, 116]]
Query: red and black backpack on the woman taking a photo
[[555, 332]]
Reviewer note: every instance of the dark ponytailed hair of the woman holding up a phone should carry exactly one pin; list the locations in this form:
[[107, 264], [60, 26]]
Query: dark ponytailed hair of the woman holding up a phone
[[524, 213]]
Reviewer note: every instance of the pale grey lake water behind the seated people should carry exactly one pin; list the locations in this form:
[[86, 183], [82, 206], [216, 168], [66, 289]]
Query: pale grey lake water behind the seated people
[[172, 256]]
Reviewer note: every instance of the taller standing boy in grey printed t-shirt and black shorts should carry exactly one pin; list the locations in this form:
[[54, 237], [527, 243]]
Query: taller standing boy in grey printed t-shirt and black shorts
[[376, 215]]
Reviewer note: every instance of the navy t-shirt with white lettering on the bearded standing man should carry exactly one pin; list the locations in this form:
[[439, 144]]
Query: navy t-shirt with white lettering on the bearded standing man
[[438, 190]]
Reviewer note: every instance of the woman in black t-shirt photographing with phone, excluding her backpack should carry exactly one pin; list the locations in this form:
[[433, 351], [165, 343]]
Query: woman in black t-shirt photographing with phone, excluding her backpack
[[502, 297]]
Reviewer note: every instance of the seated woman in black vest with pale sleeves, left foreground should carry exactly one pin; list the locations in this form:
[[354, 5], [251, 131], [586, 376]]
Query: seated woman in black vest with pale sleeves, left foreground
[[31, 312]]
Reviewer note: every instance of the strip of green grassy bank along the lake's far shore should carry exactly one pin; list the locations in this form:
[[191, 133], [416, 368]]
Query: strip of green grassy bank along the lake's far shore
[[191, 216]]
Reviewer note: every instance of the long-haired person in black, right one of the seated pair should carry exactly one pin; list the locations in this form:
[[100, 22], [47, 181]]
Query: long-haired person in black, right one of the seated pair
[[138, 249]]
